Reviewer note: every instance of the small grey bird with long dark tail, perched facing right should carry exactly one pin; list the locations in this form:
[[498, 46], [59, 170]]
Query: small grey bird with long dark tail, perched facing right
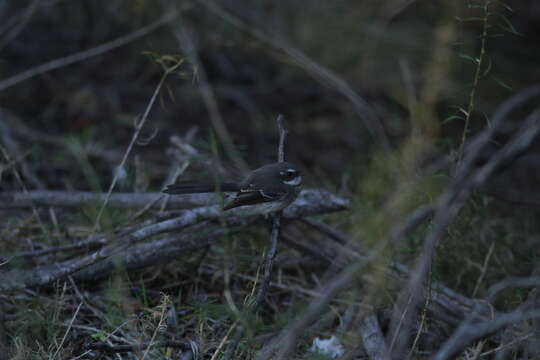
[[267, 189]]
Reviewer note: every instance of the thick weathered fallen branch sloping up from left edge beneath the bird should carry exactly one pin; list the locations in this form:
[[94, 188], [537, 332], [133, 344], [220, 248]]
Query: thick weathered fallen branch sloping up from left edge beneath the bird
[[308, 203]]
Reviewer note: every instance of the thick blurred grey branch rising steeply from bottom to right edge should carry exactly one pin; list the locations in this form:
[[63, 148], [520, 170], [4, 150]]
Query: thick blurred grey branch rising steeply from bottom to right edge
[[448, 207]]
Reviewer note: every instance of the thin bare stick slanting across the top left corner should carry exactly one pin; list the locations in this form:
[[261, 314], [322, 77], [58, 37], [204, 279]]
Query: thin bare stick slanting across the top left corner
[[83, 55]]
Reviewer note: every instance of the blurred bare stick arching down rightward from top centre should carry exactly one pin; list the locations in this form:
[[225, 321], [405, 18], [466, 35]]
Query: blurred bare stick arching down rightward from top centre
[[325, 76]]
